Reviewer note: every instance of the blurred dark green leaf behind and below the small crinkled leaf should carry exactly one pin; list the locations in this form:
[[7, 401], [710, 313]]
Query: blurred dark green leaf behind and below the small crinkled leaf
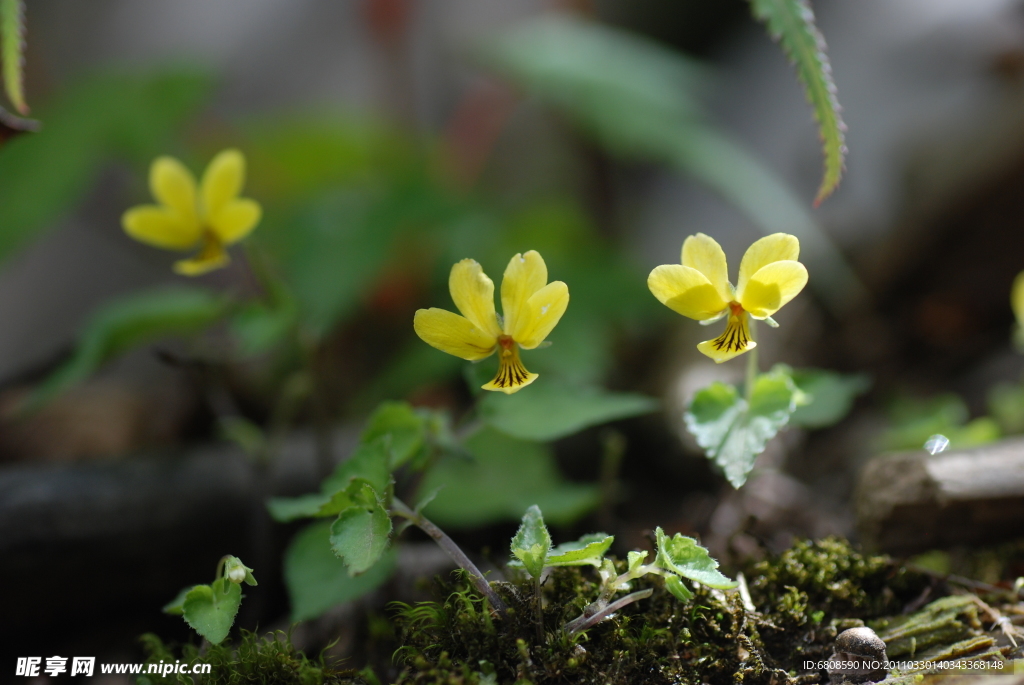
[[318, 581]]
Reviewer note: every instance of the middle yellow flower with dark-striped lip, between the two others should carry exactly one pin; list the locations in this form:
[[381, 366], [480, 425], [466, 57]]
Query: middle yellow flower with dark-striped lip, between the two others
[[531, 305]]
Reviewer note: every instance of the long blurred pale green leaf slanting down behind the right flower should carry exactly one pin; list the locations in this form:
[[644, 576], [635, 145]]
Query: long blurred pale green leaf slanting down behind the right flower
[[642, 101]]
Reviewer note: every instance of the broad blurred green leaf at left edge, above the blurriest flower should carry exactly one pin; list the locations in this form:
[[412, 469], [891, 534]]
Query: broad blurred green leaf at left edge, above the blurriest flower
[[46, 176]]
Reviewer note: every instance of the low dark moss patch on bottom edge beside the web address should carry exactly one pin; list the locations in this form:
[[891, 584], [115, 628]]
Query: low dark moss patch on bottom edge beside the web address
[[270, 661]]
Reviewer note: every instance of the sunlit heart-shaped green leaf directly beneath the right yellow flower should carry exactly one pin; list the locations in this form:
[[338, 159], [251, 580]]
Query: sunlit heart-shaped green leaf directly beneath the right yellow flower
[[733, 434]]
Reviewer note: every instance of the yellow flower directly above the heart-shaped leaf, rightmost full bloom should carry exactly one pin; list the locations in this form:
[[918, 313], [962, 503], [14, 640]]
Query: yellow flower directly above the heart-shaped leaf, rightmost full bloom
[[700, 288]]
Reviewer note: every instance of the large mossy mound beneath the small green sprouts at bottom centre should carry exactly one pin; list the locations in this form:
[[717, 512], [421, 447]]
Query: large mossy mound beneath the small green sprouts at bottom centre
[[804, 597]]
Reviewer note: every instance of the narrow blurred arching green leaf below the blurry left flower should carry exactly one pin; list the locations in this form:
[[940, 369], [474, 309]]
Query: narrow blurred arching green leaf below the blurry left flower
[[127, 323]]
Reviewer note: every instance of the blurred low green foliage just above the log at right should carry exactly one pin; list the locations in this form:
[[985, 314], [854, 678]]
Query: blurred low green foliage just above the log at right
[[913, 421]]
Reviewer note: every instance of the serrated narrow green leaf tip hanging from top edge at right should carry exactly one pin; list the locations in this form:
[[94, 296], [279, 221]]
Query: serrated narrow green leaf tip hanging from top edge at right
[[792, 24]]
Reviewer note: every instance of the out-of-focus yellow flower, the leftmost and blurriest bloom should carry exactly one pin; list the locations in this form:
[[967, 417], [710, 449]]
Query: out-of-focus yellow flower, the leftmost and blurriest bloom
[[209, 217]]
